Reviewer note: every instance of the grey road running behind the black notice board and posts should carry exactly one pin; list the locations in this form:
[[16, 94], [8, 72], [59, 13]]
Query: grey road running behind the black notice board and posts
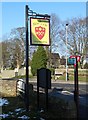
[[69, 86]]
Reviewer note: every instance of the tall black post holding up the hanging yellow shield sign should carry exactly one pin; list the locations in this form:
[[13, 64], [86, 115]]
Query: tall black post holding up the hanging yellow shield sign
[[27, 65]]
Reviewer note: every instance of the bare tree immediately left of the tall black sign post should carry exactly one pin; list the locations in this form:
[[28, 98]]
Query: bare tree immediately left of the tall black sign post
[[18, 37]]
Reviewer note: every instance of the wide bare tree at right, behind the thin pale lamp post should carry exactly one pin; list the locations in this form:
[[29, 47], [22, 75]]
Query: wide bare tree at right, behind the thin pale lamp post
[[77, 38]]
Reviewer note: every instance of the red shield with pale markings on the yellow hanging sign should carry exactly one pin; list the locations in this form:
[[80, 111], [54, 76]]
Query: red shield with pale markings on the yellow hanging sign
[[40, 32]]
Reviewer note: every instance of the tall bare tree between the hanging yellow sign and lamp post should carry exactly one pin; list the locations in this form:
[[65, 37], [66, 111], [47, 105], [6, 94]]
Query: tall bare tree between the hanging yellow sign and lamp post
[[54, 37]]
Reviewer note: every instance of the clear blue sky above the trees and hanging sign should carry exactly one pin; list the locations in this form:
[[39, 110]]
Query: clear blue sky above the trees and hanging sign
[[12, 14]]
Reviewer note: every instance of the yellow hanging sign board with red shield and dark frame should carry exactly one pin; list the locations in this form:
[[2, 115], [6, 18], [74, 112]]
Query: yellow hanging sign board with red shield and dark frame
[[39, 31]]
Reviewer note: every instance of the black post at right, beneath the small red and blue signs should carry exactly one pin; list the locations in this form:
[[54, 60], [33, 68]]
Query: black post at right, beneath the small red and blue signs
[[76, 91]]
